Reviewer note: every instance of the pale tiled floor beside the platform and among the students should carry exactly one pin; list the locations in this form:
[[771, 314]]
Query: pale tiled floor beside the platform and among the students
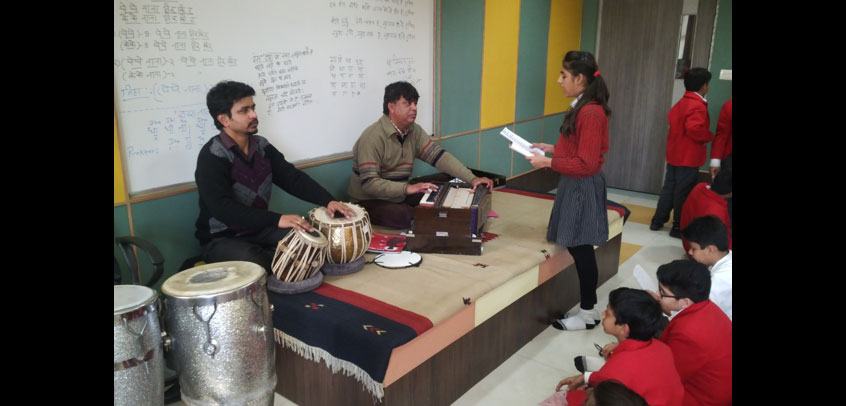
[[530, 375]]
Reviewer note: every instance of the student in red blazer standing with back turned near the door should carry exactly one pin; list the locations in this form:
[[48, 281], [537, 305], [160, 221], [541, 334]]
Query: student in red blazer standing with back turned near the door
[[686, 152]]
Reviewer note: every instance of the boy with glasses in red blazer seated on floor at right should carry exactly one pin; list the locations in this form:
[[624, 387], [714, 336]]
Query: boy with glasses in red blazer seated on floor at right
[[699, 333]]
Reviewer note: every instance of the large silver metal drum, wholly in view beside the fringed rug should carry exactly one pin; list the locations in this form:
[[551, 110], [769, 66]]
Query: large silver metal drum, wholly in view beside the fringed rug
[[218, 319]]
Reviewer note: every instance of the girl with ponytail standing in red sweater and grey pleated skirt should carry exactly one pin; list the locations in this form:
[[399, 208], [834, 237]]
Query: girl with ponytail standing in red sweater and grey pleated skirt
[[579, 219]]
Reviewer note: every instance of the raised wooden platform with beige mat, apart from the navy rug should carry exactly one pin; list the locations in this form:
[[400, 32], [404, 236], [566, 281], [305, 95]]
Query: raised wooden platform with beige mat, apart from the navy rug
[[516, 287]]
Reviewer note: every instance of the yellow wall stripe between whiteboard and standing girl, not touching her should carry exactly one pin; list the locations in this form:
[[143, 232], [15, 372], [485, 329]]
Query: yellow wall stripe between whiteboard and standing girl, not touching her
[[499, 62]]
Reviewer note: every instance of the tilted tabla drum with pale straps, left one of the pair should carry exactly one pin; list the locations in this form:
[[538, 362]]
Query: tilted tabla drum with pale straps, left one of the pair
[[299, 255]]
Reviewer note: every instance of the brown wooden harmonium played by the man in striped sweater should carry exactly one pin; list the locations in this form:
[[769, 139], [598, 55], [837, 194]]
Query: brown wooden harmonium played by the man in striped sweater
[[450, 220]]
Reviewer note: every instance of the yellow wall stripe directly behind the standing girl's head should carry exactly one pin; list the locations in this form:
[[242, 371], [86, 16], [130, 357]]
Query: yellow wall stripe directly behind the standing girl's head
[[565, 28]]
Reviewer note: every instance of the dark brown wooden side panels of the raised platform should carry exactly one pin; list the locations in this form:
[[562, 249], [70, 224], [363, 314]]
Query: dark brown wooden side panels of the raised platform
[[453, 371]]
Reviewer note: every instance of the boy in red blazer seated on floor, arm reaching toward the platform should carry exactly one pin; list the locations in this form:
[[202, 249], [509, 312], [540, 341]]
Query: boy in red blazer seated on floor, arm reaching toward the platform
[[640, 362]]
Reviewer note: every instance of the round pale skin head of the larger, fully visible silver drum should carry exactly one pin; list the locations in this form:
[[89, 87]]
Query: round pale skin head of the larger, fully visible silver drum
[[212, 279]]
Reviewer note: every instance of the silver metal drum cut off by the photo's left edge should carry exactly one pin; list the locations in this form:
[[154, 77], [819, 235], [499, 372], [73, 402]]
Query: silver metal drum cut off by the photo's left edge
[[139, 366]]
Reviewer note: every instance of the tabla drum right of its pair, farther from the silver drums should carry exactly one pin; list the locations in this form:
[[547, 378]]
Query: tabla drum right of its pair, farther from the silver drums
[[348, 239]]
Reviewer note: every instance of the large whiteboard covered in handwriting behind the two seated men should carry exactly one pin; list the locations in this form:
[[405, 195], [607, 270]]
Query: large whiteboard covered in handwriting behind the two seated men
[[319, 69]]
